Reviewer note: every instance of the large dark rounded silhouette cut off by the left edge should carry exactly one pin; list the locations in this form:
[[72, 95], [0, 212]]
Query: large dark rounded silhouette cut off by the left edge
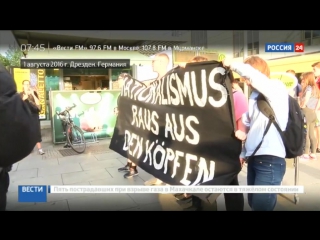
[[18, 131]]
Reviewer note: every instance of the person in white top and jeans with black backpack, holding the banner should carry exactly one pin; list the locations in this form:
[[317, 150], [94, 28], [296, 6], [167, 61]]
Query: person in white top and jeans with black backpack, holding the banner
[[269, 122]]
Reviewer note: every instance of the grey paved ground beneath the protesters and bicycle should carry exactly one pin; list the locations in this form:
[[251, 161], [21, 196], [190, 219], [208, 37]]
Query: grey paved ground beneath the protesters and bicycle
[[98, 166]]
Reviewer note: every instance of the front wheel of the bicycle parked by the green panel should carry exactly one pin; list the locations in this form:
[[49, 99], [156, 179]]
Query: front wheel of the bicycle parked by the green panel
[[76, 139]]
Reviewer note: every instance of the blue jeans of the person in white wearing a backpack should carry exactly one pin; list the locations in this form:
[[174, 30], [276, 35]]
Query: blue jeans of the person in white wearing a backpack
[[264, 170]]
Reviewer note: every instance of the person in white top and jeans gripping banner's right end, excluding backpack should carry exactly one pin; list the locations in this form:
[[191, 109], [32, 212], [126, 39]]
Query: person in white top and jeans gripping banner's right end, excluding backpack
[[268, 165]]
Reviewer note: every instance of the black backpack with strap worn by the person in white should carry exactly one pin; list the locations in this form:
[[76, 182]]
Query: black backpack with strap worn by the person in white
[[294, 136]]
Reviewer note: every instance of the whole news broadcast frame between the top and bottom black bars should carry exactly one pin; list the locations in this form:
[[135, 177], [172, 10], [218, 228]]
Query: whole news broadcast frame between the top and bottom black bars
[[159, 120]]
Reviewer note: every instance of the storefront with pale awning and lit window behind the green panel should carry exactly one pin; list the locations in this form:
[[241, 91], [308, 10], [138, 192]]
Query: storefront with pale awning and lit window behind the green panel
[[81, 79]]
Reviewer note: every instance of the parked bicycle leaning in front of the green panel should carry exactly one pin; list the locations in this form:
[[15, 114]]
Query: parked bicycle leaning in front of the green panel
[[74, 134]]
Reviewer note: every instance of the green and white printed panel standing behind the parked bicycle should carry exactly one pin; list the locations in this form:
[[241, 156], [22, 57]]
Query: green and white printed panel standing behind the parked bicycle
[[94, 112]]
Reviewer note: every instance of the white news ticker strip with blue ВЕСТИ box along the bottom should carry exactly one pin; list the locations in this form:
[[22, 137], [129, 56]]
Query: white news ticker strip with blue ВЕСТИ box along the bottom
[[38, 193]]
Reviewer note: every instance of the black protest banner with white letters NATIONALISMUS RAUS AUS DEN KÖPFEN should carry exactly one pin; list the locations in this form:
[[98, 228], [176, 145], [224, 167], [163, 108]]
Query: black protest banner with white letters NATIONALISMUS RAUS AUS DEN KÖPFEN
[[180, 129]]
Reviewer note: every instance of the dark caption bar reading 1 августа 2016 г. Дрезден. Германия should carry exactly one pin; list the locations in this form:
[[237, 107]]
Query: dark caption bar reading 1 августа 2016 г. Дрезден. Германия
[[74, 63]]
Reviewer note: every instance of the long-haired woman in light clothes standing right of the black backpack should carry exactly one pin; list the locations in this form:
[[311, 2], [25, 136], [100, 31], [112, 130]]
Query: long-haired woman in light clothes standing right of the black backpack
[[309, 102]]
